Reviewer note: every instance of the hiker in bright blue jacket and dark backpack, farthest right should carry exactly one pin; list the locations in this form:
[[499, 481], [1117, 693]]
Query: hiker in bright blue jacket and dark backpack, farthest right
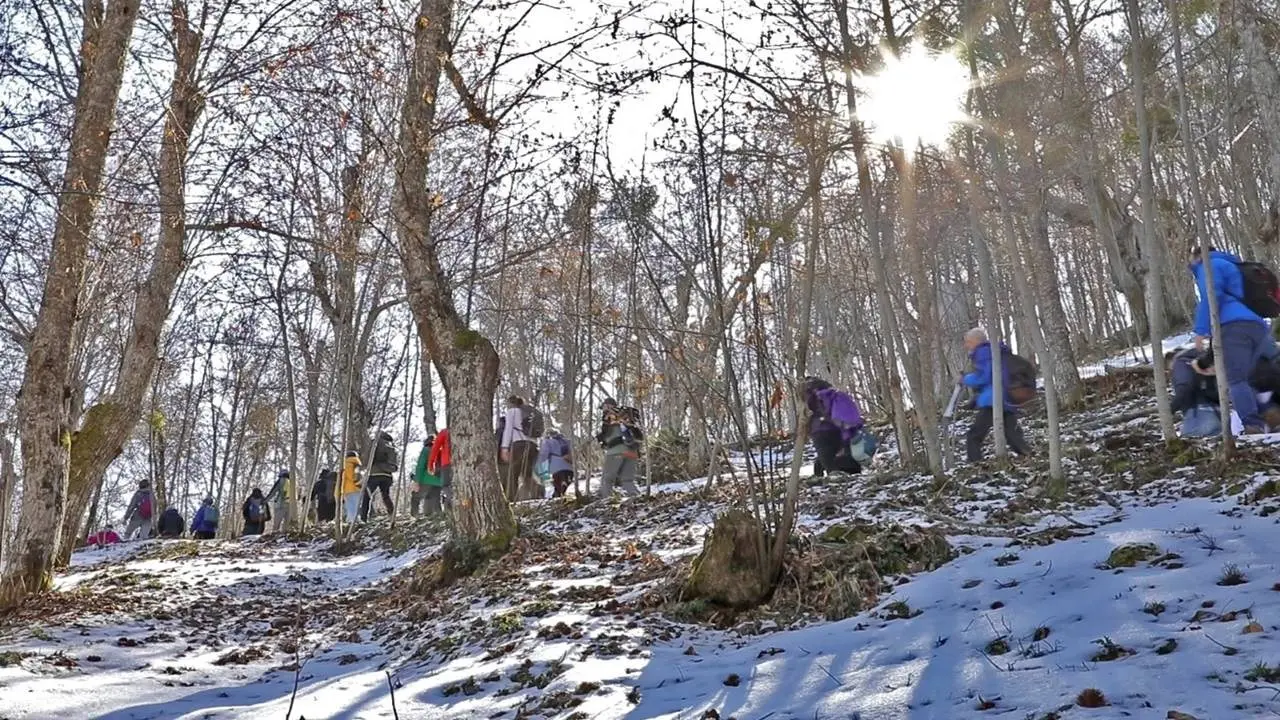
[[1246, 336]]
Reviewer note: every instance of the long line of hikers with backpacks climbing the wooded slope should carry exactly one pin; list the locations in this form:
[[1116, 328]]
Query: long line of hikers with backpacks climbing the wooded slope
[[532, 455]]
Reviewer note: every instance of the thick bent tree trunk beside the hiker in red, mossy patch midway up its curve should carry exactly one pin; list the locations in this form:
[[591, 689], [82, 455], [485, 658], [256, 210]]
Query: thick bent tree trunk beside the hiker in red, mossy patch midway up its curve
[[465, 359]]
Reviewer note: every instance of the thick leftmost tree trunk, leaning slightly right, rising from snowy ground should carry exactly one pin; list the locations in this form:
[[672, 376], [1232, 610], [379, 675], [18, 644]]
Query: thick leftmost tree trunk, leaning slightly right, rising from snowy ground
[[43, 411]]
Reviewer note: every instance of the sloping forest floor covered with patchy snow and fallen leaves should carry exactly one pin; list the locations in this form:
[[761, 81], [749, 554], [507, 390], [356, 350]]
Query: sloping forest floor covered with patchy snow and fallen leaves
[[1150, 590]]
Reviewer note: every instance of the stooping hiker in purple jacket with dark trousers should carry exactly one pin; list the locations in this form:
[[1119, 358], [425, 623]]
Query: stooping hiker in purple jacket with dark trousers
[[835, 429]]
